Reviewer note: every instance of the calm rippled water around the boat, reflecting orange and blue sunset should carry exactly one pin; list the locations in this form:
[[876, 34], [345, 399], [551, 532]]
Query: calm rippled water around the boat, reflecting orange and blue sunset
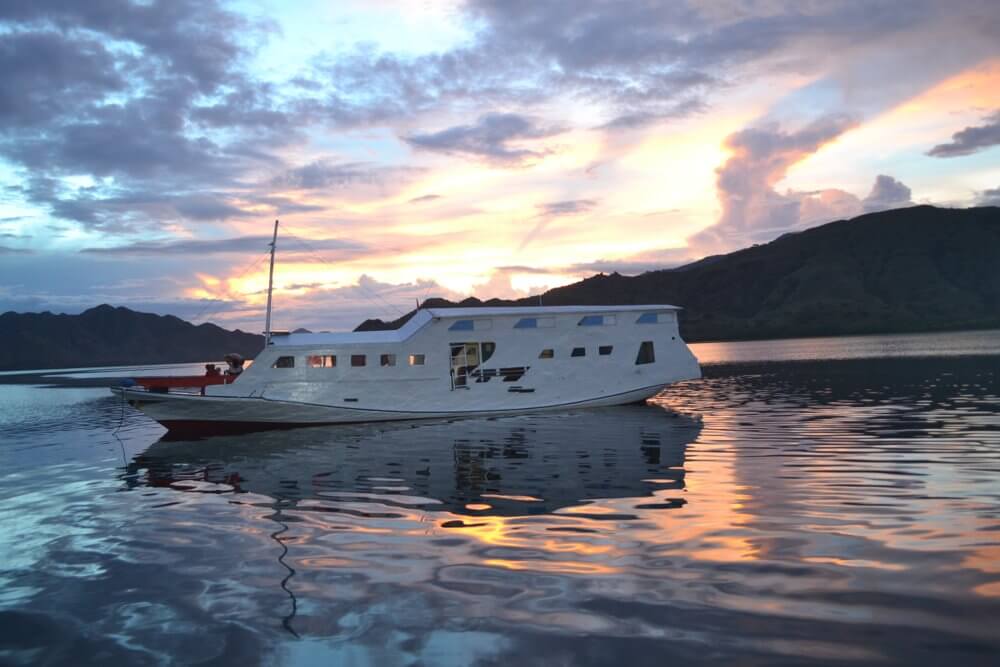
[[839, 509]]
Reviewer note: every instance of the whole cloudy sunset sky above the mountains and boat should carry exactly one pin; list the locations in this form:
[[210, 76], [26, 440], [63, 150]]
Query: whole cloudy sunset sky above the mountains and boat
[[445, 148]]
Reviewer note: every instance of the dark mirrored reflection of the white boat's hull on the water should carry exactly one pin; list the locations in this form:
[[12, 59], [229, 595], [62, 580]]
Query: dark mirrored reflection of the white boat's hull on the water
[[507, 466]]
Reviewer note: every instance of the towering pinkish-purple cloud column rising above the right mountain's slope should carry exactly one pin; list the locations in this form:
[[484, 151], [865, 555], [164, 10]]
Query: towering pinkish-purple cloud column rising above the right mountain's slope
[[751, 208]]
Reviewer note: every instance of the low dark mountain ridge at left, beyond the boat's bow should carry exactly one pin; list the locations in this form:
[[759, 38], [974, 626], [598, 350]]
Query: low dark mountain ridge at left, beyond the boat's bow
[[106, 336]]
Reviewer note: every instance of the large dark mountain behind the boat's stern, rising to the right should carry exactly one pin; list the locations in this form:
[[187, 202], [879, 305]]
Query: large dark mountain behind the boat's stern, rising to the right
[[906, 270]]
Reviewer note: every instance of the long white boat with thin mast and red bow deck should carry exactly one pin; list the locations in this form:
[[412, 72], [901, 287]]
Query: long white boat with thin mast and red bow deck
[[441, 363]]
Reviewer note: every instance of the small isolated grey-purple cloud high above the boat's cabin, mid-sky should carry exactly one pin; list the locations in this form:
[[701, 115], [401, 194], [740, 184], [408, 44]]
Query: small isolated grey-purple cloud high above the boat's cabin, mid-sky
[[488, 138]]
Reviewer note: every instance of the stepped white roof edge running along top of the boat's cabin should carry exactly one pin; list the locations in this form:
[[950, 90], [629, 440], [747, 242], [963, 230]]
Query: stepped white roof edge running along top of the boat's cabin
[[425, 315]]
